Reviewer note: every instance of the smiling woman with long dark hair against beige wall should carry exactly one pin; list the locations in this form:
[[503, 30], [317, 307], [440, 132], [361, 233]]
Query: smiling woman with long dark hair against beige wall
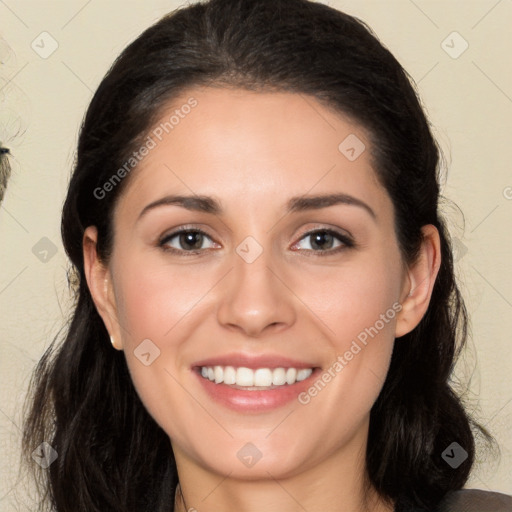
[[253, 223]]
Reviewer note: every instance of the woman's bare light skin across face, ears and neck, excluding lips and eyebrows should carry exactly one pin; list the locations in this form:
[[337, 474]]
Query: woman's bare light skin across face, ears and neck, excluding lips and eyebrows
[[253, 152]]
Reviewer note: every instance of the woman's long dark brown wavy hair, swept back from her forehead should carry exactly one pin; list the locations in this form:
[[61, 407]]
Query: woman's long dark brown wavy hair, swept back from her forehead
[[111, 453]]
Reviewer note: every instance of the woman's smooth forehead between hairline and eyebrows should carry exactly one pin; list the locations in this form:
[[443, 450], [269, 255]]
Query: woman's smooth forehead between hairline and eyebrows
[[257, 146]]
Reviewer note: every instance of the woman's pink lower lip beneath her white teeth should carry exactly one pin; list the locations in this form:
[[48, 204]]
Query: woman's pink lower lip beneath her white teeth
[[255, 401]]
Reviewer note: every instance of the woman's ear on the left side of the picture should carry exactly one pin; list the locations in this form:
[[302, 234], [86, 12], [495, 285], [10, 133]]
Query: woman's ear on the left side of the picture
[[99, 281]]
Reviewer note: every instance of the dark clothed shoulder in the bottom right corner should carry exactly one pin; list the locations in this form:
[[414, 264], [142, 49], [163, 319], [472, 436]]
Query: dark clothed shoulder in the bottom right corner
[[475, 500]]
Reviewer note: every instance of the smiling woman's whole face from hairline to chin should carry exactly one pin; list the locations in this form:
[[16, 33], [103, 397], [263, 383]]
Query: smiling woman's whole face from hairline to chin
[[293, 300]]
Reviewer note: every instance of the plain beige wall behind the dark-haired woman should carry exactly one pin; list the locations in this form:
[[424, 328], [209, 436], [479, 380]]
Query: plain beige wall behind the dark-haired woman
[[468, 99]]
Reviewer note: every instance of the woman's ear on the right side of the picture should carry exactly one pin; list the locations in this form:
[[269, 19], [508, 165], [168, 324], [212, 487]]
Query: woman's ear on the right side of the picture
[[419, 283]]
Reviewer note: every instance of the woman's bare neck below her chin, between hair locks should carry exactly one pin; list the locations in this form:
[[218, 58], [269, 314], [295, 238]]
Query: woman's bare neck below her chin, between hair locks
[[336, 485]]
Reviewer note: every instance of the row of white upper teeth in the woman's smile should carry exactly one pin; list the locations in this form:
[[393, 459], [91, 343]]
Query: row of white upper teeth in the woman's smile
[[261, 377]]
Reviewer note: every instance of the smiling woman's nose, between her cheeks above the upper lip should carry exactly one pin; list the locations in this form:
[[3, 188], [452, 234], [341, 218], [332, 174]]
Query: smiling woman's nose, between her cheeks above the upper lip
[[255, 297]]
